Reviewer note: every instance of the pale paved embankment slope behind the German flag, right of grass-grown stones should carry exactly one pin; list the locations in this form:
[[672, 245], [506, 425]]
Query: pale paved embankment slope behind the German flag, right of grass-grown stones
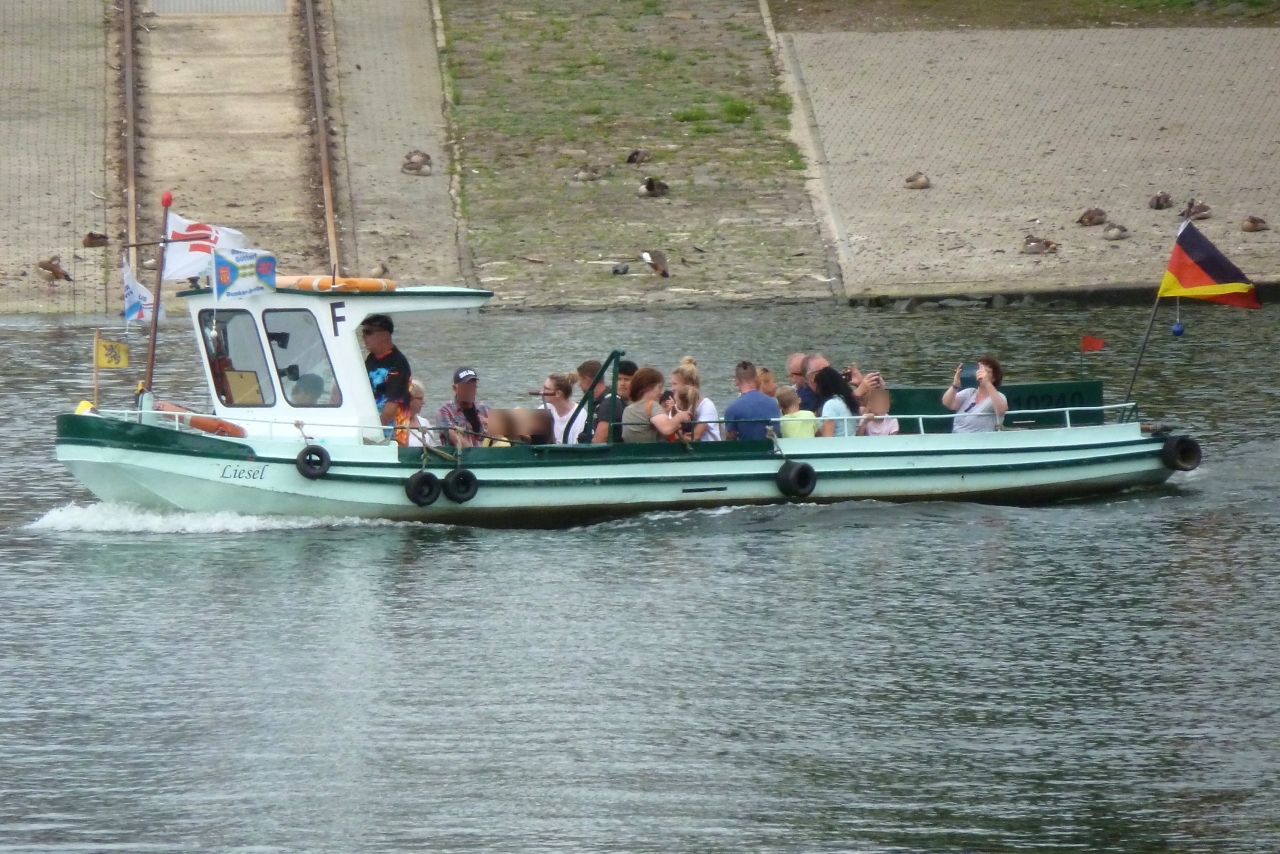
[[1021, 133]]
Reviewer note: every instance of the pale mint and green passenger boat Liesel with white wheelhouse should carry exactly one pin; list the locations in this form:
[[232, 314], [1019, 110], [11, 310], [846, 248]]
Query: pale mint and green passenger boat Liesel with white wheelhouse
[[258, 453]]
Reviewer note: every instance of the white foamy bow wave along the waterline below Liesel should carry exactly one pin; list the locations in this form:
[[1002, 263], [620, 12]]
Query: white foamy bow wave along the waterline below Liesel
[[125, 519]]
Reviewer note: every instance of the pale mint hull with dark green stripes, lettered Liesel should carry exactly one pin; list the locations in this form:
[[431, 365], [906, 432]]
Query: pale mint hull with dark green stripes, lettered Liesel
[[555, 486]]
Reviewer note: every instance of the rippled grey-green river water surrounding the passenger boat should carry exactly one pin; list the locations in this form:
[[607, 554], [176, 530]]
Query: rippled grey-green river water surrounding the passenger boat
[[1095, 677]]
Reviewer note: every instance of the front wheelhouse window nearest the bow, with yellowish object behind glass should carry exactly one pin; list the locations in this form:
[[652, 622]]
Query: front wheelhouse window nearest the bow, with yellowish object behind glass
[[236, 358]]
